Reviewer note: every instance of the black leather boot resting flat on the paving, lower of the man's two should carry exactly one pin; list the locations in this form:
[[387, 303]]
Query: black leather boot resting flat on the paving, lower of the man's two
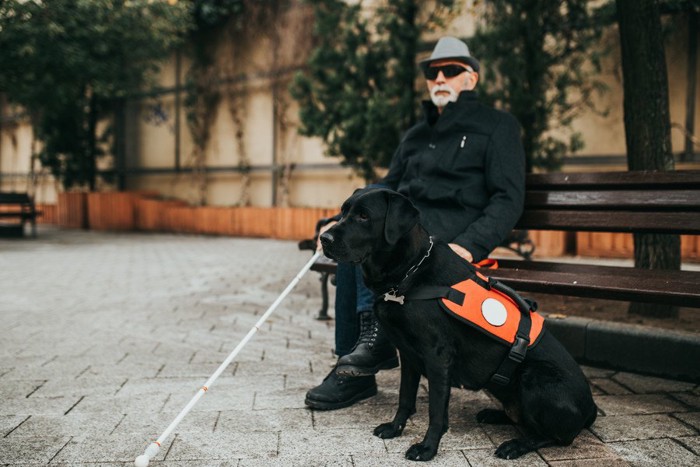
[[338, 391]]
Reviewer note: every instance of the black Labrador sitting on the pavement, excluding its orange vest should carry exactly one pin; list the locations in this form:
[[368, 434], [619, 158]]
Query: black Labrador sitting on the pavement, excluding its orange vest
[[546, 393]]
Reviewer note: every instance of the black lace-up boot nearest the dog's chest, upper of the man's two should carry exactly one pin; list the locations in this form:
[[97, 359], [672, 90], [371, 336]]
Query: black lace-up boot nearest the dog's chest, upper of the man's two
[[372, 352]]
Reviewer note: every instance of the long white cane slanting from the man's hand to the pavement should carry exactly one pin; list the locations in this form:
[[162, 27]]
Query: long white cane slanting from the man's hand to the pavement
[[152, 449]]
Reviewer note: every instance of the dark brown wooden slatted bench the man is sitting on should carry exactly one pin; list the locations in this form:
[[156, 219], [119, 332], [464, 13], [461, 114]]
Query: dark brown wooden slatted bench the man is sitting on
[[652, 202]]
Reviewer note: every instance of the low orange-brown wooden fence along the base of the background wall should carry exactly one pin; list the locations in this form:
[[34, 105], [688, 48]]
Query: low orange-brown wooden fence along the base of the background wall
[[143, 211]]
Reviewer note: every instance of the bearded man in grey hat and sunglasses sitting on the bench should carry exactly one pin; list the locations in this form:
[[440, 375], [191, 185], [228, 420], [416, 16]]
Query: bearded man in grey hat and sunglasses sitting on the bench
[[463, 167]]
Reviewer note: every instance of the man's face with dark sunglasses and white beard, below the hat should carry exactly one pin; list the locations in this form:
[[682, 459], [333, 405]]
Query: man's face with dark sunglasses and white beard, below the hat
[[447, 78]]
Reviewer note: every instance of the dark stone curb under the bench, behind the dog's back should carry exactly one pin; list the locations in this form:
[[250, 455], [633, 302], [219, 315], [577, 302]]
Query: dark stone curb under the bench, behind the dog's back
[[630, 347]]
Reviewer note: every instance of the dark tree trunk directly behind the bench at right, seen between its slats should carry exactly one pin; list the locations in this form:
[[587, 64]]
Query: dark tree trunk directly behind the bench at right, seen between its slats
[[647, 125]]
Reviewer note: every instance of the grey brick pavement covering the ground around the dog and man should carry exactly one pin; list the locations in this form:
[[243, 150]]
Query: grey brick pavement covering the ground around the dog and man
[[107, 336]]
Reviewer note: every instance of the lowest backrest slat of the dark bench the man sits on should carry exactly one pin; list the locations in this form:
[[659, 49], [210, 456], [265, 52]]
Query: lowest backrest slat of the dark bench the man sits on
[[611, 221]]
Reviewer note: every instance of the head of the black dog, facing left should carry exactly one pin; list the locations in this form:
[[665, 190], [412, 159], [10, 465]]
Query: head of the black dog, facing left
[[373, 219]]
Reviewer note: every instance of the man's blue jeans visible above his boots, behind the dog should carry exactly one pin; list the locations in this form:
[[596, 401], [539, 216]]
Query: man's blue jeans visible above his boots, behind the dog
[[351, 297]]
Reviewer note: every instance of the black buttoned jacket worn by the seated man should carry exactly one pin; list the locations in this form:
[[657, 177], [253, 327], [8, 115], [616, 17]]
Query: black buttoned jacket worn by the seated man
[[465, 172]]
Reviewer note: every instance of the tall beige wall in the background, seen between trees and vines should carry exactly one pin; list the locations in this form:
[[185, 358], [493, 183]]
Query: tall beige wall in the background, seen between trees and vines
[[270, 122]]
